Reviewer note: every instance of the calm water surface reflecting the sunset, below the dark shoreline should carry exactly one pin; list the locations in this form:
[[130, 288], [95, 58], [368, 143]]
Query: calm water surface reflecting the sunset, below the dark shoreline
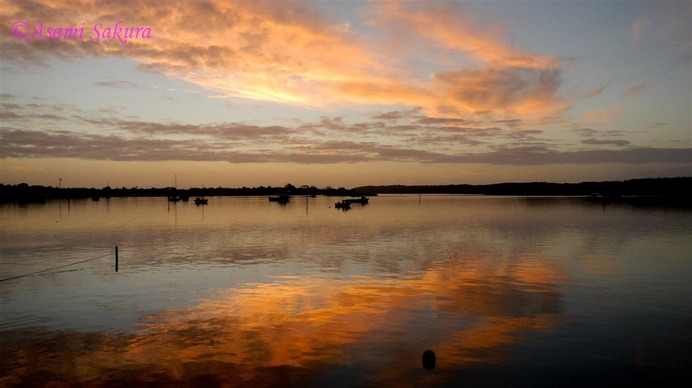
[[508, 291]]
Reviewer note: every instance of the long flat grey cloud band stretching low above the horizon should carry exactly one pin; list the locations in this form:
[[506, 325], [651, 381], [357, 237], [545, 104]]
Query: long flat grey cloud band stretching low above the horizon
[[15, 143]]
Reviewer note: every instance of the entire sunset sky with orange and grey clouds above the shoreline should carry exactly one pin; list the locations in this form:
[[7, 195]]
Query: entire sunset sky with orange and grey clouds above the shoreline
[[343, 93]]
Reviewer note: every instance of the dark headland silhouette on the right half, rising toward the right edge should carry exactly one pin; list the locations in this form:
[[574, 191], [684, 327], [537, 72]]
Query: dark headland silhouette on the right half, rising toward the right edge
[[669, 187]]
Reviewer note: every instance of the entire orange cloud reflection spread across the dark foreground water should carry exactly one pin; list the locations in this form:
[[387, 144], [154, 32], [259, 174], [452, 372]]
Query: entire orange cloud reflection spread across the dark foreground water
[[294, 327]]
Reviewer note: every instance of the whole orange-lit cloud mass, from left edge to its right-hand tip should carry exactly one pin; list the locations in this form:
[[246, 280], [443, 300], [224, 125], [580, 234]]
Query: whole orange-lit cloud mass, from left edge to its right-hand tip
[[285, 51]]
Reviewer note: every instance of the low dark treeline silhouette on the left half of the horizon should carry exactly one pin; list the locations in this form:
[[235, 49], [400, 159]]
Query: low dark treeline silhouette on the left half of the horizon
[[24, 193]]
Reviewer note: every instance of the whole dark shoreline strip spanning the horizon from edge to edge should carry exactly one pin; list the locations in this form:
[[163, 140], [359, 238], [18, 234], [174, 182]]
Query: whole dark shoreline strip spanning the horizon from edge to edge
[[679, 188]]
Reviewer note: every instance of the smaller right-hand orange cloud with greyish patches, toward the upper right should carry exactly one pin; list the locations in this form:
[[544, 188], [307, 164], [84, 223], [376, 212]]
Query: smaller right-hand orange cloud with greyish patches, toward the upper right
[[501, 78]]
